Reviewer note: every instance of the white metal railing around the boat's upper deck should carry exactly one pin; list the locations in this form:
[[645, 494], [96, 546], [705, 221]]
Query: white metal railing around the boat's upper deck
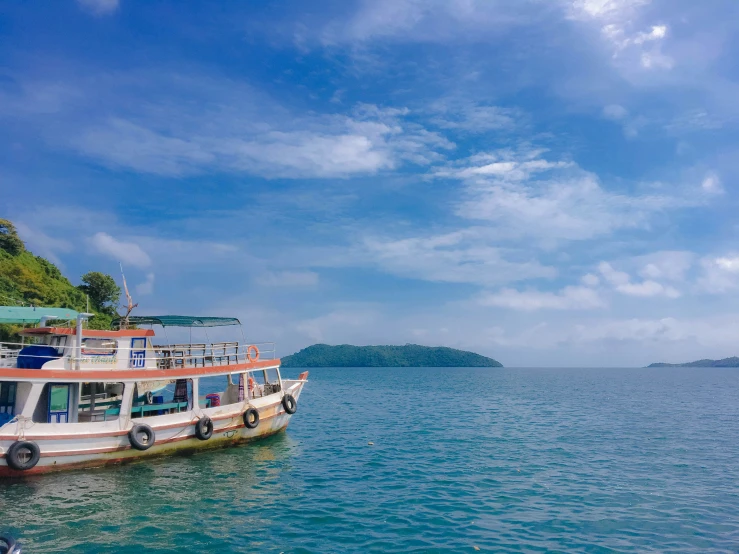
[[171, 356]]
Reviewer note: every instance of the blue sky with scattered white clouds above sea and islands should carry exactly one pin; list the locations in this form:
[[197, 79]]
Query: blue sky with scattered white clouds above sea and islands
[[549, 182]]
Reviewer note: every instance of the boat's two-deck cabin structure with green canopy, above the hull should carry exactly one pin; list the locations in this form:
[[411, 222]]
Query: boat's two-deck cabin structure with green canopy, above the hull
[[85, 375]]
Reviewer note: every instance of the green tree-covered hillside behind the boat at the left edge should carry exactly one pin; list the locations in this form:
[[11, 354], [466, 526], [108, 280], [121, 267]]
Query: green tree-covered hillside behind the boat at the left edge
[[29, 280]]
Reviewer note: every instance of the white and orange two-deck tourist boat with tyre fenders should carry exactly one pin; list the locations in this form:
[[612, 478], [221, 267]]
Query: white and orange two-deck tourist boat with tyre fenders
[[72, 397]]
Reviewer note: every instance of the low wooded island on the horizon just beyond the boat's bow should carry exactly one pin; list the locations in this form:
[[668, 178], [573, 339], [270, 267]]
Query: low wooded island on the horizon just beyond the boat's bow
[[410, 355]]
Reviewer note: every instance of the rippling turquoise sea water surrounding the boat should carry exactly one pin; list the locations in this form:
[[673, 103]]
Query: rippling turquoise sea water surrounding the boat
[[508, 460]]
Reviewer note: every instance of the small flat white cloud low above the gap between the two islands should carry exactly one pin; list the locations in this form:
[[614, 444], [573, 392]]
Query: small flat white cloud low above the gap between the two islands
[[569, 298]]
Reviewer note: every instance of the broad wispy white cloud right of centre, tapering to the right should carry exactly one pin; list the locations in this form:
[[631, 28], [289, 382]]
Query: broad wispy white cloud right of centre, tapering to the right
[[522, 194]]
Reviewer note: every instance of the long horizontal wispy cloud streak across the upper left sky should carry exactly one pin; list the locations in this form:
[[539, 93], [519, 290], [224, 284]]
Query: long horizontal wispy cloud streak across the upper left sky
[[330, 146]]
